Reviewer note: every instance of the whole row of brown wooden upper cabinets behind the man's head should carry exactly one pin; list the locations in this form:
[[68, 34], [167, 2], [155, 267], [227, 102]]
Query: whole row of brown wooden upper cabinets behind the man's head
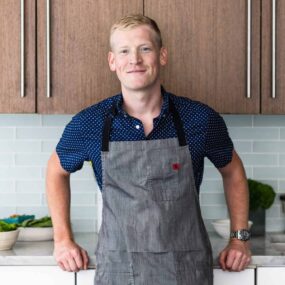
[[220, 53]]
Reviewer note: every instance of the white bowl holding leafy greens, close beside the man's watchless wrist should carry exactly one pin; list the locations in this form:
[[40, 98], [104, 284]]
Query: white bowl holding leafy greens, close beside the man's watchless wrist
[[36, 234]]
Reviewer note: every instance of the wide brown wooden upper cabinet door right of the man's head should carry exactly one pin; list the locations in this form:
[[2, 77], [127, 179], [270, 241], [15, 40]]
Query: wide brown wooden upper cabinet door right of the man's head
[[207, 47]]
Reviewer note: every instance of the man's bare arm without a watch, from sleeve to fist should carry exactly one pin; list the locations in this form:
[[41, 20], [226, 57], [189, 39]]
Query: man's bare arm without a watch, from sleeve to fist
[[68, 254]]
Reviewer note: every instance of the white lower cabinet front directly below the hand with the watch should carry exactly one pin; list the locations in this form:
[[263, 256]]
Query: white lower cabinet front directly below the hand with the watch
[[245, 277]]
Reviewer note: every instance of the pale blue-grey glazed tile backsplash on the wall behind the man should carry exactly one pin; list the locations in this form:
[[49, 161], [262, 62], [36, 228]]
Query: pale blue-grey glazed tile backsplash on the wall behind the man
[[26, 142]]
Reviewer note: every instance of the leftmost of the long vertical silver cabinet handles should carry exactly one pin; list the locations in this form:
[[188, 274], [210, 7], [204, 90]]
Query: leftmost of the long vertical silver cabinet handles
[[22, 31]]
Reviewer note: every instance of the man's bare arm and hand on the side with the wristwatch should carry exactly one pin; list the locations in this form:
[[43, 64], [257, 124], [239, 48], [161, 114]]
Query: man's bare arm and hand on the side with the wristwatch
[[236, 256]]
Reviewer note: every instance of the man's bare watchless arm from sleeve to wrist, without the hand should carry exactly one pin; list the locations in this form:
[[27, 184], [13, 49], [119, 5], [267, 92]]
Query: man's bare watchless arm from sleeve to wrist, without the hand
[[58, 196]]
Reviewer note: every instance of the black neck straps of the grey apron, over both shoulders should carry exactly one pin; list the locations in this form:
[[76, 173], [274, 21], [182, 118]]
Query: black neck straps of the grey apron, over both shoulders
[[112, 112]]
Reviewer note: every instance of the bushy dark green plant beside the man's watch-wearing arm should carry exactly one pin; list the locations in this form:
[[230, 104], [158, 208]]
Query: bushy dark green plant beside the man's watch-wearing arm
[[260, 195]]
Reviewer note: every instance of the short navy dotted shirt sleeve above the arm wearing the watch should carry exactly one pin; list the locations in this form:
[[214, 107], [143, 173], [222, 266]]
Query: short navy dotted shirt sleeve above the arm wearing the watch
[[219, 146]]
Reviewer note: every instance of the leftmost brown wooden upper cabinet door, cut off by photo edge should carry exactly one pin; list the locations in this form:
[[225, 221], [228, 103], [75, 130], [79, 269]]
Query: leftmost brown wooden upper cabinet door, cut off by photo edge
[[14, 64]]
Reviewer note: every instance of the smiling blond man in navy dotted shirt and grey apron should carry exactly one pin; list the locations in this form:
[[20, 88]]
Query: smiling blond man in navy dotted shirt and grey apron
[[147, 148]]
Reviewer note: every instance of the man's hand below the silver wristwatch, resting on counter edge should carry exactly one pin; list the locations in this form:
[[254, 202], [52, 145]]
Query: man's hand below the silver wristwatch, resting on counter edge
[[236, 256]]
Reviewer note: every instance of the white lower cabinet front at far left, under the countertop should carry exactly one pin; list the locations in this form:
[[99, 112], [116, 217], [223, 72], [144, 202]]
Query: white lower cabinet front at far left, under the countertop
[[35, 275]]
